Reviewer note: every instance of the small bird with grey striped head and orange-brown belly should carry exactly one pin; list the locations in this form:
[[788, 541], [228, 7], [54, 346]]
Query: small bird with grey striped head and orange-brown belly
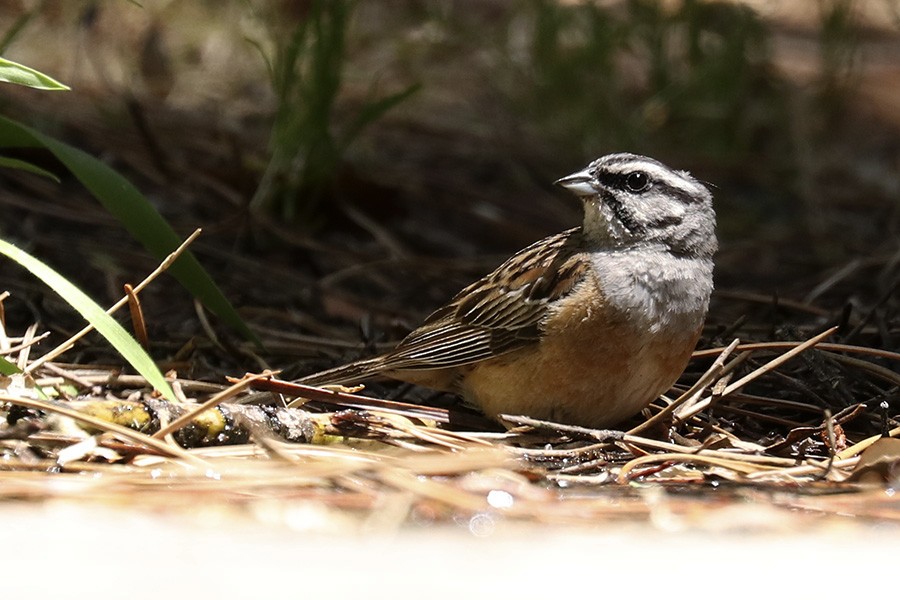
[[586, 327]]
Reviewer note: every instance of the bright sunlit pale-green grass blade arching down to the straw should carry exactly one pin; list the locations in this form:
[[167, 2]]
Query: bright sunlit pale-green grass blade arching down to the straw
[[121, 340]]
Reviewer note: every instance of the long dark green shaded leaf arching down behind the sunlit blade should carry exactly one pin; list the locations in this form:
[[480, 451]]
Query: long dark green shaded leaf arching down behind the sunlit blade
[[136, 214]]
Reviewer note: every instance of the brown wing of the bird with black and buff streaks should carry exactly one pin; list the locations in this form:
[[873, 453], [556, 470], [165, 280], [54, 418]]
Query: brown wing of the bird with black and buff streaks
[[497, 314]]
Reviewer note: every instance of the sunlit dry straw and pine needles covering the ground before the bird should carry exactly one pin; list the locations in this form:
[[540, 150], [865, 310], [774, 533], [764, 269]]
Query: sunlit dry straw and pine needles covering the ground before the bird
[[104, 436]]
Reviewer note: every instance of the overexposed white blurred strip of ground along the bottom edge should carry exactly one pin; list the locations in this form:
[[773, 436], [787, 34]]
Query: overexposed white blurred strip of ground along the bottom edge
[[100, 551]]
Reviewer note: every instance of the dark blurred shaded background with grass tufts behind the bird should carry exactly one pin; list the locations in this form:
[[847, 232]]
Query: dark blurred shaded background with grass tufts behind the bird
[[353, 164]]
